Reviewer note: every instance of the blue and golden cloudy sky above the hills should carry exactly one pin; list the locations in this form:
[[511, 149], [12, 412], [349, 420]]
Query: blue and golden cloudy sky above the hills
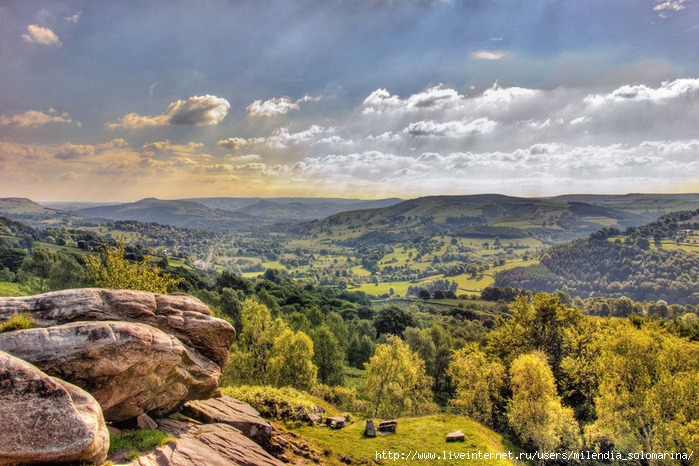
[[121, 100]]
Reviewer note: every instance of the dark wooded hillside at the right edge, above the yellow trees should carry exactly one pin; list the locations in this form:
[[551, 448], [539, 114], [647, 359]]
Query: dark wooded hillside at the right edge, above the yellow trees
[[659, 260]]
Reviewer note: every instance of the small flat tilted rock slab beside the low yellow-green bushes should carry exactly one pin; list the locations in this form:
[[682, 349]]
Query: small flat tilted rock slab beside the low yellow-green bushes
[[227, 410]]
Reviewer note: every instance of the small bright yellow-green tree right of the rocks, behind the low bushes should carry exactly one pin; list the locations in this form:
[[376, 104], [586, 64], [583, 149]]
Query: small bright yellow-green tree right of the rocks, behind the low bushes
[[290, 364]]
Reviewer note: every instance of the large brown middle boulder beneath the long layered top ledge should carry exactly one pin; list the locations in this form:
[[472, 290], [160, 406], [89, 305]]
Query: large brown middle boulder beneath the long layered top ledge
[[130, 368]]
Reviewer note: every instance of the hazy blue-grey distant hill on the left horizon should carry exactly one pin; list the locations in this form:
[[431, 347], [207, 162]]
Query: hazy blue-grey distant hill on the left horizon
[[177, 213]]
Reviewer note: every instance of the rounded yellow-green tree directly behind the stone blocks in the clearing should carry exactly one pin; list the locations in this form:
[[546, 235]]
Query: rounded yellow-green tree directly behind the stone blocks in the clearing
[[395, 381]]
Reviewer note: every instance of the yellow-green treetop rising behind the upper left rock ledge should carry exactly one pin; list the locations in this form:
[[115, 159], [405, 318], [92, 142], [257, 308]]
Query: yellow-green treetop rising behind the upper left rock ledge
[[111, 270]]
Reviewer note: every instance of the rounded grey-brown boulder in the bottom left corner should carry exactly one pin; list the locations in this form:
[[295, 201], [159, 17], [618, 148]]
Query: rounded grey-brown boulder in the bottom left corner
[[46, 420]]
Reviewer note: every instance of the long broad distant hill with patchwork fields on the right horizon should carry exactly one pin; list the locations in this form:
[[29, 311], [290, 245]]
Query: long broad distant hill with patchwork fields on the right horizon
[[550, 221]]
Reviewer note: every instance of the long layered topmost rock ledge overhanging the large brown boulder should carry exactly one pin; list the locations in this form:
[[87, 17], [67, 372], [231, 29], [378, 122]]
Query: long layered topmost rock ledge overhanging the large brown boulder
[[178, 314]]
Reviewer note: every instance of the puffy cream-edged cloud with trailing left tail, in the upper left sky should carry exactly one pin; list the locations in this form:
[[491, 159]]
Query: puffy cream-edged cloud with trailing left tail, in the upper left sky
[[195, 111]]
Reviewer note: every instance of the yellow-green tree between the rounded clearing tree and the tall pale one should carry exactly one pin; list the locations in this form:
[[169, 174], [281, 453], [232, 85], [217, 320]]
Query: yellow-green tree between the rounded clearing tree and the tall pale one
[[479, 381]]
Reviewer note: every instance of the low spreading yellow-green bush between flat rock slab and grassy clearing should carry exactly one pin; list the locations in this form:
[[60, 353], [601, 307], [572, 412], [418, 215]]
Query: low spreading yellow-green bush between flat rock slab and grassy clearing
[[285, 404]]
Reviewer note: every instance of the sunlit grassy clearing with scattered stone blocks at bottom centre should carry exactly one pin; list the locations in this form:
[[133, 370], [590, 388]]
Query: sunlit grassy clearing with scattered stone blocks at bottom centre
[[425, 434]]
